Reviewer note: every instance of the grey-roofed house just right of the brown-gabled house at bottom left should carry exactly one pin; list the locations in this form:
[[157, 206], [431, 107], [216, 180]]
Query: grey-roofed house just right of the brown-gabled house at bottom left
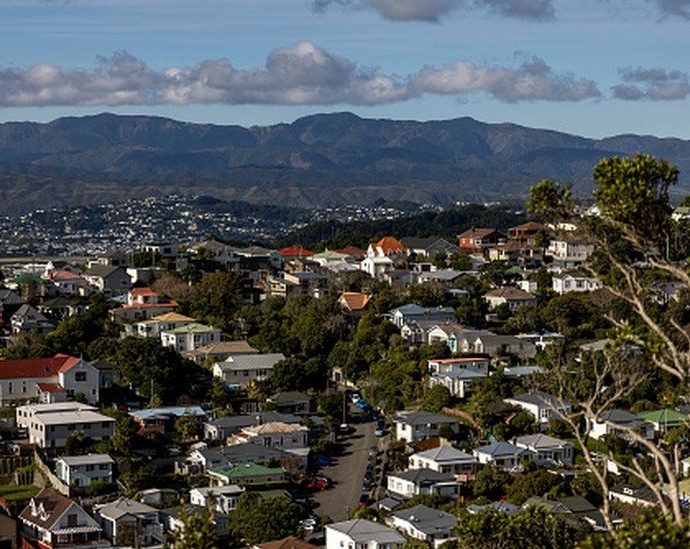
[[128, 523]]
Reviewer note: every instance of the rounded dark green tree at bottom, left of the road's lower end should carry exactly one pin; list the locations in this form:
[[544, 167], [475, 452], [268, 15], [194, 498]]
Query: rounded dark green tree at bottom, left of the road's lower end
[[258, 519]]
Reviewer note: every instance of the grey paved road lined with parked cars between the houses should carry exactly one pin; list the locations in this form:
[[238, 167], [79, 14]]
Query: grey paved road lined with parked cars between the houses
[[347, 472]]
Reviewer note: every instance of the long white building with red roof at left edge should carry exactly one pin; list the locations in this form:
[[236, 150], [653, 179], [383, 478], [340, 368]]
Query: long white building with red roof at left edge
[[48, 379]]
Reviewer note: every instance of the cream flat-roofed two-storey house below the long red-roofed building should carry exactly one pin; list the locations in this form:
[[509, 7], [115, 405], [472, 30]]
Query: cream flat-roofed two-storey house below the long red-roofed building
[[53, 424]]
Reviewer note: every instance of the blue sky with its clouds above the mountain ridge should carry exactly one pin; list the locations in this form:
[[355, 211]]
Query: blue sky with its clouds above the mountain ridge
[[592, 67]]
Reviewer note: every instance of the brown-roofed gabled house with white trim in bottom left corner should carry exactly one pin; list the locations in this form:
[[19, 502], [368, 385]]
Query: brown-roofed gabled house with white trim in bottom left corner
[[53, 520]]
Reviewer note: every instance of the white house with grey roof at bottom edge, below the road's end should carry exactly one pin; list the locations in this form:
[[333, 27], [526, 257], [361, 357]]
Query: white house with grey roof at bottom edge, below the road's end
[[361, 534]]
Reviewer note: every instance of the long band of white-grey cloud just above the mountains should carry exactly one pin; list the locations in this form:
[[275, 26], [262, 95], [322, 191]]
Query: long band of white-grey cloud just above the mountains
[[302, 74]]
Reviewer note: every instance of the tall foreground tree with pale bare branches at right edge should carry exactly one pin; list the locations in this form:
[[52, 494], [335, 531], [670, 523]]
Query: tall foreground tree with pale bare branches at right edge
[[638, 247]]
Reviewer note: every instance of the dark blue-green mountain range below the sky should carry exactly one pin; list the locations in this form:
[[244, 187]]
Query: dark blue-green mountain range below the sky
[[323, 159]]
